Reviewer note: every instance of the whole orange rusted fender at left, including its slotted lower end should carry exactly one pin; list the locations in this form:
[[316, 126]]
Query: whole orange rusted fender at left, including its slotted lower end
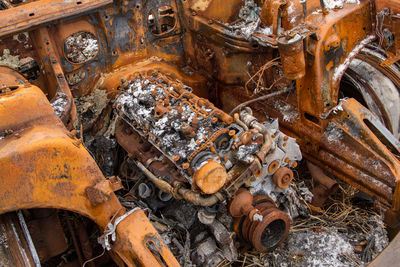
[[48, 167]]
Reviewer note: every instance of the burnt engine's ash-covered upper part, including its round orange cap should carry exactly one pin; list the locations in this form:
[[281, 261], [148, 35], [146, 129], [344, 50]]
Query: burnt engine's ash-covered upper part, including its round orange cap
[[202, 141]]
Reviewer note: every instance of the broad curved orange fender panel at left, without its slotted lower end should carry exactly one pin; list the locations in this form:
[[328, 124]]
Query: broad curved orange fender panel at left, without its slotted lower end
[[37, 136]]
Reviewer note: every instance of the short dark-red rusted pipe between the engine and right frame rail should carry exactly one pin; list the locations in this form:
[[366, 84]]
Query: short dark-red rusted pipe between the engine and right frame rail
[[325, 185]]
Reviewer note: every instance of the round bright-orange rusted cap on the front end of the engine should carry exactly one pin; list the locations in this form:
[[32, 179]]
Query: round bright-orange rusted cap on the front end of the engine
[[211, 177]]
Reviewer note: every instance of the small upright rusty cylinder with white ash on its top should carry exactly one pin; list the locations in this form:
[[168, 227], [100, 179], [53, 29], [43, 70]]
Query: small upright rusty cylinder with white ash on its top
[[292, 56]]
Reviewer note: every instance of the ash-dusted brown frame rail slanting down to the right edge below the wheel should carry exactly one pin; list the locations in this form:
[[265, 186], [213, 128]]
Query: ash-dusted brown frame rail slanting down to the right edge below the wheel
[[346, 147]]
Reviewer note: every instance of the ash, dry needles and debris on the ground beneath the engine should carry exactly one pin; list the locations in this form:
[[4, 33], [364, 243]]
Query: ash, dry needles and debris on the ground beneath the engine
[[348, 231]]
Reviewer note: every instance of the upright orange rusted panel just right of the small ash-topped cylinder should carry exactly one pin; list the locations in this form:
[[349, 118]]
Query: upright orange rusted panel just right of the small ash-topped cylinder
[[332, 47]]
